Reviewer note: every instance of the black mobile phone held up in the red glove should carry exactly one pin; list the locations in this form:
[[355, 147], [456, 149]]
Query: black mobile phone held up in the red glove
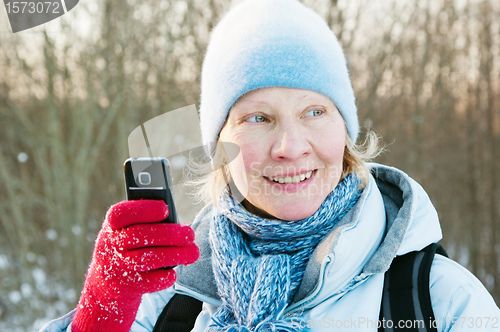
[[150, 178]]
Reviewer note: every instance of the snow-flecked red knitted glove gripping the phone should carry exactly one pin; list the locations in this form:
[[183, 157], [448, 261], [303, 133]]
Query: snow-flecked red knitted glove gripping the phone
[[130, 249]]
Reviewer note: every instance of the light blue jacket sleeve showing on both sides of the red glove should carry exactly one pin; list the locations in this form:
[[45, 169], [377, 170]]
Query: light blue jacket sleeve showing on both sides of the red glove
[[149, 310]]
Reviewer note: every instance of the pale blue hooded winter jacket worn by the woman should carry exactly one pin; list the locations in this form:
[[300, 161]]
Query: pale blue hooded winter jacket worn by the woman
[[343, 282]]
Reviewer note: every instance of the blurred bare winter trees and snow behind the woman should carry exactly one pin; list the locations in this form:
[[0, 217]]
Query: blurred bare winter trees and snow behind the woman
[[425, 74]]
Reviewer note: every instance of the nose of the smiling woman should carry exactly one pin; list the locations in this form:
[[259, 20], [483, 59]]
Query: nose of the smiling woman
[[290, 144]]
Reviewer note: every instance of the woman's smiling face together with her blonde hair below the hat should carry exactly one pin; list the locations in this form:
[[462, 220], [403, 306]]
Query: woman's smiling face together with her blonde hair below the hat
[[285, 154]]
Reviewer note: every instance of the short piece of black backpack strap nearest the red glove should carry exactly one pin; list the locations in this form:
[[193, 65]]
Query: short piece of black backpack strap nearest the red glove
[[179, 314]]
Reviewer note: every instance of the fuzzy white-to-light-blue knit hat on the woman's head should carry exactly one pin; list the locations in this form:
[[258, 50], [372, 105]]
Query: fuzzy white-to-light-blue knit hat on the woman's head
[[267, 43]]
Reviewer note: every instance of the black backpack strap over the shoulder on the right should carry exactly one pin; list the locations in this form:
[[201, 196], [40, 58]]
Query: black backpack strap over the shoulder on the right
[[406, 299]]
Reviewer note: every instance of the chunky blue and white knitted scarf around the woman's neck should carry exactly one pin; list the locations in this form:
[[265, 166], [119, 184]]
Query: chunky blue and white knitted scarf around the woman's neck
[[259, 263]]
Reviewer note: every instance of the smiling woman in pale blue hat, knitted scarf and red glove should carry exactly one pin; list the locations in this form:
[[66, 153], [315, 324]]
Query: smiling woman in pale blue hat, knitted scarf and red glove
[[300, 228]]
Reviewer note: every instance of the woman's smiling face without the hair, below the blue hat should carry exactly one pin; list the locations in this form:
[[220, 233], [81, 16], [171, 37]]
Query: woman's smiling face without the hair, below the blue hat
[[292, 146]]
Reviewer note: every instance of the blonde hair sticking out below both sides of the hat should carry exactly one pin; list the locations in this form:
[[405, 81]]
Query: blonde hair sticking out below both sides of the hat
[[209, 177]]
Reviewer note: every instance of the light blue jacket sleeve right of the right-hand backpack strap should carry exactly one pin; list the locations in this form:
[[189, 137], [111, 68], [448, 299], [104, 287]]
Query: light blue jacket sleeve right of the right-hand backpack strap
[[459, 300]]
